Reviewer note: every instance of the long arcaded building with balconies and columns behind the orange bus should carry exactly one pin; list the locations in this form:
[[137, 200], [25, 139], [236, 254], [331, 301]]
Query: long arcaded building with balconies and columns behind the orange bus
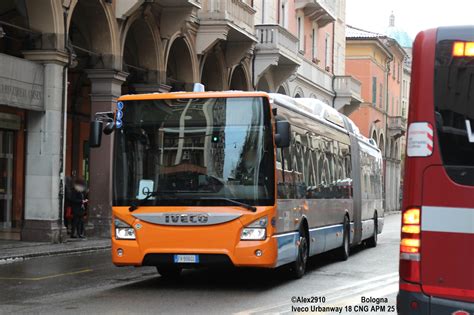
[[62, 61]]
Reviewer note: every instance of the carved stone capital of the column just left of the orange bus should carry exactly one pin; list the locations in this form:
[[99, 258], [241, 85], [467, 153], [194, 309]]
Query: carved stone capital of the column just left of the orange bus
[[106, 84]]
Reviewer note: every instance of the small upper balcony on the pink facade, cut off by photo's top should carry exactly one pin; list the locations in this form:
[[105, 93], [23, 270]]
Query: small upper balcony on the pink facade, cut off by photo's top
[[321, 11]]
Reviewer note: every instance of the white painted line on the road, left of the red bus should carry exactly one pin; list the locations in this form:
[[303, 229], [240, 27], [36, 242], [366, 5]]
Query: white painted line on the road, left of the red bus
[[383, 279]]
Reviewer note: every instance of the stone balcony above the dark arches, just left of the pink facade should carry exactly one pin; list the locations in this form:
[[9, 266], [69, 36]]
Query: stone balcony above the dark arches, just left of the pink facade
[[230, 20]]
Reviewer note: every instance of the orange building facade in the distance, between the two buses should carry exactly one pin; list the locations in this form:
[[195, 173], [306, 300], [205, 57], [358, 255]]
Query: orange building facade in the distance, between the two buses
[[380, 63]]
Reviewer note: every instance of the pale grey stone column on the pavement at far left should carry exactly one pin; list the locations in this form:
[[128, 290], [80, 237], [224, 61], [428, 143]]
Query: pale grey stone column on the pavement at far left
[[44, 154]]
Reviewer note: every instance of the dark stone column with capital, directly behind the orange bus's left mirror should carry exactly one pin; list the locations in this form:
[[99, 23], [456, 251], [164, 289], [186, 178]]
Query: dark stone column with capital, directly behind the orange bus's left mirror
[[106, 85]]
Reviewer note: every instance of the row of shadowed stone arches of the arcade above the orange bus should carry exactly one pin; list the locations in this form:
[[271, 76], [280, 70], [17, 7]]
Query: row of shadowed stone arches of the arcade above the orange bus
[[98, 39]]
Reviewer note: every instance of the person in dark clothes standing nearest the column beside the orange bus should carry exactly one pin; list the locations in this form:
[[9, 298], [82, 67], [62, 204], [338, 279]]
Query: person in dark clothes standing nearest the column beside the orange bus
[[78, 201]]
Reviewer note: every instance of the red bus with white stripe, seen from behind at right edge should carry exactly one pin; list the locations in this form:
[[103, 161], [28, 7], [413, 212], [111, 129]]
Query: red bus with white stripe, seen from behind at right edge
[[437, 236]]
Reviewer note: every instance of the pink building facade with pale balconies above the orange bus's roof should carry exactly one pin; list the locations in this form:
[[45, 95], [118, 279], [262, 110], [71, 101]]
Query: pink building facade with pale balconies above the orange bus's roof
[[301, 51]]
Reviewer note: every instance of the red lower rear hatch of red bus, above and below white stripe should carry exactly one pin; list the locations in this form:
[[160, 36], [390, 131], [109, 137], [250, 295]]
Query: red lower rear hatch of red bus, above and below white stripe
[[447, 259]]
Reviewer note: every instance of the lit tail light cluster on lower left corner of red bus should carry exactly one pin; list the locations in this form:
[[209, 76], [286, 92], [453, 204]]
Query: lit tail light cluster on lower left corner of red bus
[[410, 245]]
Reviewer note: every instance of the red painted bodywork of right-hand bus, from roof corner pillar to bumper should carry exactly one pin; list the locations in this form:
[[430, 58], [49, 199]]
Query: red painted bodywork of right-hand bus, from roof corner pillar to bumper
[[447, 259]]
